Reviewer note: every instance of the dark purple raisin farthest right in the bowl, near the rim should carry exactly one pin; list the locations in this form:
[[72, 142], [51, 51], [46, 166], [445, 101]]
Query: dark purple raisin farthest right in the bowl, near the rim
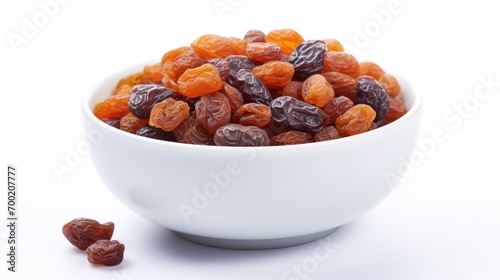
[[370, 92]]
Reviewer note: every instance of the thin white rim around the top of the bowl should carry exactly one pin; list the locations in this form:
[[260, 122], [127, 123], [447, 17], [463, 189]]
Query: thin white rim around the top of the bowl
[[87, 112]]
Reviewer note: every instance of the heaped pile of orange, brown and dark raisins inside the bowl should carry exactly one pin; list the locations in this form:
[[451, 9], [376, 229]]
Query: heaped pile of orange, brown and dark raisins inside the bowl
[[274, 89]]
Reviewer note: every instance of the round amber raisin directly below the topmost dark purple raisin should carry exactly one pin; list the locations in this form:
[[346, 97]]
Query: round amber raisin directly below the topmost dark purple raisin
[[317, 91]]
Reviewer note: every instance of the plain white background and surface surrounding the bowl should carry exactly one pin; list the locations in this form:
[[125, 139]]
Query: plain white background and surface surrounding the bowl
[[442, 222]]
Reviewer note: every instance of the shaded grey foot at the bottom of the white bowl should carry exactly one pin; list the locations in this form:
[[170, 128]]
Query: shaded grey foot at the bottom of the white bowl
[[255, 244]]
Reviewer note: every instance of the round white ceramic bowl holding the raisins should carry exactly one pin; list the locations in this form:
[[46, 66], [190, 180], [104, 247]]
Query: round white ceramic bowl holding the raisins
[[250, 197]]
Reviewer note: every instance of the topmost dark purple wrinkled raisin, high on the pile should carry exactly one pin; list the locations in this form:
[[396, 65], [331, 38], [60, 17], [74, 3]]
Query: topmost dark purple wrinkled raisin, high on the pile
[[308, 58]]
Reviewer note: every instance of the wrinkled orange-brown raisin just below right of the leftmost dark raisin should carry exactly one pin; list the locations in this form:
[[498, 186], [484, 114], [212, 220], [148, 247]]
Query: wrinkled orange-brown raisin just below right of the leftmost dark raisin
[[168, 114]]
